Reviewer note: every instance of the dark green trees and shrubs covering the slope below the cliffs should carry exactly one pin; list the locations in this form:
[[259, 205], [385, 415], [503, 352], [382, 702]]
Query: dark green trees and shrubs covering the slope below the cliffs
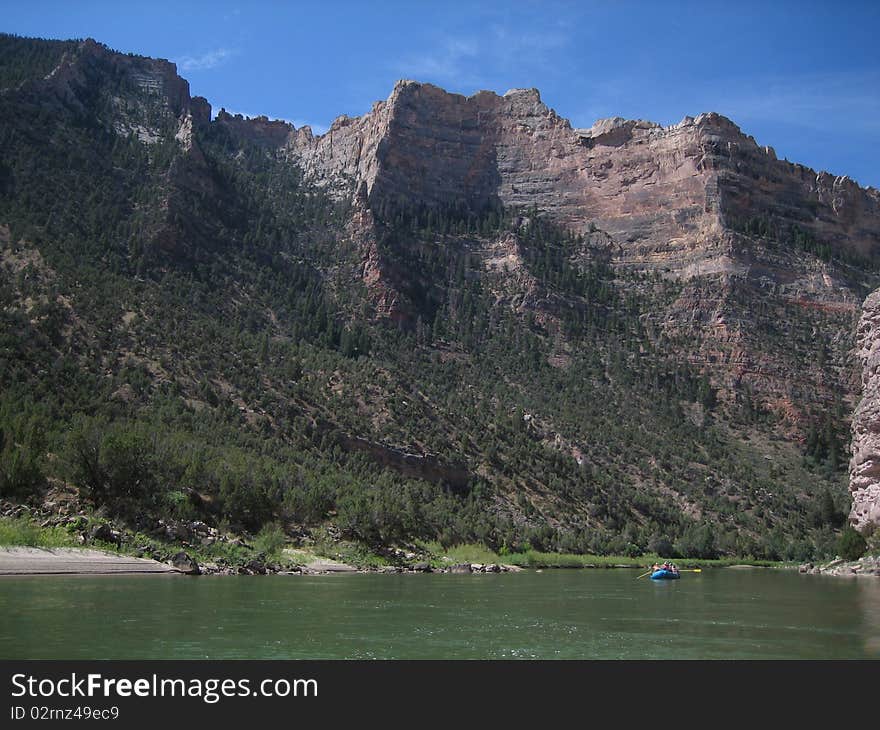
[[209, 352]]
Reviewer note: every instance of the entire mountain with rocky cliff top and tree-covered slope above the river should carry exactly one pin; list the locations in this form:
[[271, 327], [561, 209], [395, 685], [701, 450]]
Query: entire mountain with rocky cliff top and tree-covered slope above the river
[[620, 337]]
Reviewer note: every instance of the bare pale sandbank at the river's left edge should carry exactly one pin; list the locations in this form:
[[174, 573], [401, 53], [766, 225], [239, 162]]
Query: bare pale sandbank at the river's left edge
[[73, 561]]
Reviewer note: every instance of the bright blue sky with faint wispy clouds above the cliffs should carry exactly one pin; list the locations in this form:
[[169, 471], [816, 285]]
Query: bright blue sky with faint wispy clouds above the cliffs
[[803, 77]]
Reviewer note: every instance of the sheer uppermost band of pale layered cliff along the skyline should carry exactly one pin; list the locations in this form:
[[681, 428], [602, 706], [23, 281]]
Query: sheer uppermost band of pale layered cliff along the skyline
[[656, 190]]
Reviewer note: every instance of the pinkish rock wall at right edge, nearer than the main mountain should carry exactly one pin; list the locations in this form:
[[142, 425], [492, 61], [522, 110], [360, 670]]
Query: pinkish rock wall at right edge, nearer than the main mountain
[[864, 473]]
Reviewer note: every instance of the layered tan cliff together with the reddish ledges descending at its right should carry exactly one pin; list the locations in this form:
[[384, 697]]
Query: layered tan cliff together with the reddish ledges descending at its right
[[698, 203]]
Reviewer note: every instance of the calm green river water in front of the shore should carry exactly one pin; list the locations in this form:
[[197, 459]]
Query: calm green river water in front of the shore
[[551, 614]]
